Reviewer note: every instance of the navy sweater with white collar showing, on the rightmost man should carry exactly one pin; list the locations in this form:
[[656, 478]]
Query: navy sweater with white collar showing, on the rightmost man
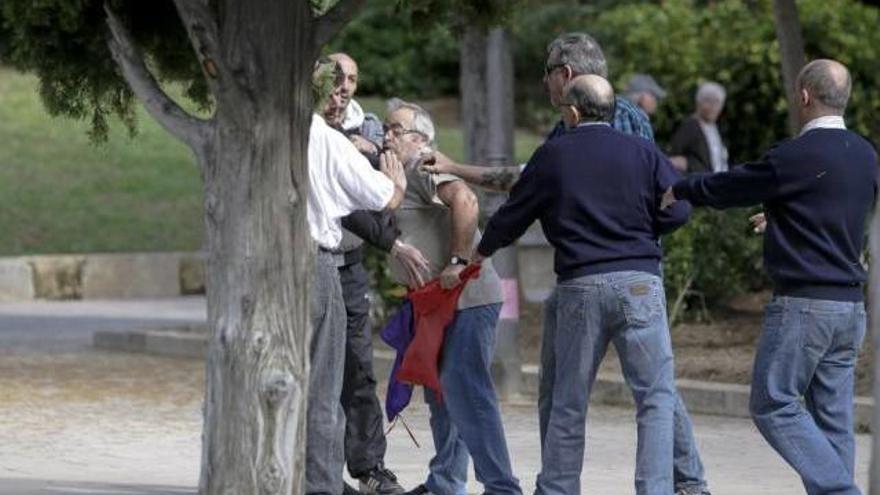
[[816, 190]]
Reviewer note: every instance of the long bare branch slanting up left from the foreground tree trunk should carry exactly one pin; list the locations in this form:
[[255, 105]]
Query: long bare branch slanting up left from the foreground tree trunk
[[188, 128]]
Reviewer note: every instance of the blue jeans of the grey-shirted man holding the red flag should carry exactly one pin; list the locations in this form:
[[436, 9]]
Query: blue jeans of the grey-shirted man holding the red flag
[[468, 420]]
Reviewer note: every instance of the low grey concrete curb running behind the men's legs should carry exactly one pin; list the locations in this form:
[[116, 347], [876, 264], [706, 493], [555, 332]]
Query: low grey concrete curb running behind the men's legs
[[721, 399]]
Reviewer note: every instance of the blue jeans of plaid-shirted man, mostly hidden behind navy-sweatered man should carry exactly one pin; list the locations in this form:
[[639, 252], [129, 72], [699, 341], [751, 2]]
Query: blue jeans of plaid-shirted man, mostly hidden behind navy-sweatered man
[[687, 467]]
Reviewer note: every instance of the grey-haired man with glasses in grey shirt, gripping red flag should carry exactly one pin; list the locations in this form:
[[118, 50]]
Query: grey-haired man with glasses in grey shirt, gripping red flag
[[439, 217]]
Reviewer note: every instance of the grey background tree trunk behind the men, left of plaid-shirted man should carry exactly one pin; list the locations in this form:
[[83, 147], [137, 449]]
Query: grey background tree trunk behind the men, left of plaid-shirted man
[[486, 88]]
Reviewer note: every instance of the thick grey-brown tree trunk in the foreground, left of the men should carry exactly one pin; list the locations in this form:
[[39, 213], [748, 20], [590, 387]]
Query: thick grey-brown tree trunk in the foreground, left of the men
[[259, 254]]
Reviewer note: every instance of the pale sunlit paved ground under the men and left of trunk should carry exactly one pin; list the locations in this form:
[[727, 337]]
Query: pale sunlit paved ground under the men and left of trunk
[[76, 421]]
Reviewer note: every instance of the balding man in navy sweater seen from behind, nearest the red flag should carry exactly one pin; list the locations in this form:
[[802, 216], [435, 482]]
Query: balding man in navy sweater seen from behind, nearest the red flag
[[597, 192]]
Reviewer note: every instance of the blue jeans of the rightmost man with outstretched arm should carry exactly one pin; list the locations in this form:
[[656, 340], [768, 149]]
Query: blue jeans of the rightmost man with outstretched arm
[[808, 349]]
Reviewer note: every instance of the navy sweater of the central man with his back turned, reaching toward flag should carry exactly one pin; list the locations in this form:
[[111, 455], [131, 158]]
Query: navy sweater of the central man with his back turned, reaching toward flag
[[597, 193]]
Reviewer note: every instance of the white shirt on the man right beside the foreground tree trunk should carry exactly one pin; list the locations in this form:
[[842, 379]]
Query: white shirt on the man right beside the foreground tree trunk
[[341, 182]]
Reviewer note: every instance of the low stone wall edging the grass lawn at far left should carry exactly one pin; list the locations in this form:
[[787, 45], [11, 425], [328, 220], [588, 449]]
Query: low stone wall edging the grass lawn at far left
[[102, 276]]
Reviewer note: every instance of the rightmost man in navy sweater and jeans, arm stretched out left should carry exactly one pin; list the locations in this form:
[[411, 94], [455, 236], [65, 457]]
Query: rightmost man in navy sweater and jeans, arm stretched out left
[[816, 190]]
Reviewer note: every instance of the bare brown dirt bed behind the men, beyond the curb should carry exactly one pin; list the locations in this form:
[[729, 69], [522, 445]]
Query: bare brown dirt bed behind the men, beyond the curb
[[721, 350]]
